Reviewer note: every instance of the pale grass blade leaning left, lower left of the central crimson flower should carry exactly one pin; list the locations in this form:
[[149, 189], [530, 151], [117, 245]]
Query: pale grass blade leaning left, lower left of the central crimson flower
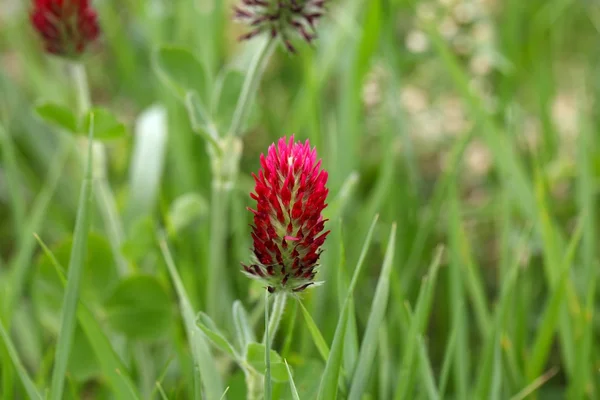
[[207, 376]]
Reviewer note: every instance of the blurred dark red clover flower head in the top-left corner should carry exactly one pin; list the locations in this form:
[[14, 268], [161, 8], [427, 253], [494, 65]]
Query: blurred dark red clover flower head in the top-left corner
[[65, 26]]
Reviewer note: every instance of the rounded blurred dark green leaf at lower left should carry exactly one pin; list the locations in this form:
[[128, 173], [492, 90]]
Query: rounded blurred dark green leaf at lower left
[[140, 308]]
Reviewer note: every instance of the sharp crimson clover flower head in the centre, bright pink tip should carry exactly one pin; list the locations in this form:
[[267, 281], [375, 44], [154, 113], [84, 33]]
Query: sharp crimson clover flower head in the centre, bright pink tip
[[288, 226]]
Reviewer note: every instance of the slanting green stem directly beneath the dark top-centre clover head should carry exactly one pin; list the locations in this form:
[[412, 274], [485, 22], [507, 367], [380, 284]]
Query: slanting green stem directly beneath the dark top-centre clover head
[[253, 78]]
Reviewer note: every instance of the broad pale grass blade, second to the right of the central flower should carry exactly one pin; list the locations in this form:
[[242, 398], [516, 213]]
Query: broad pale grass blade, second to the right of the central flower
[[368, 346]]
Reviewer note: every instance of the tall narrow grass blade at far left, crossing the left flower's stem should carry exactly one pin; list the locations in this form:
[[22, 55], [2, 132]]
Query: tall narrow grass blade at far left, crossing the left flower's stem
[[71, 297]]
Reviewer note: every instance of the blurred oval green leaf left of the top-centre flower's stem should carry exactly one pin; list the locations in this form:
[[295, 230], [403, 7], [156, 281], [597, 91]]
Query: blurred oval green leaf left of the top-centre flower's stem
[[181, 70]]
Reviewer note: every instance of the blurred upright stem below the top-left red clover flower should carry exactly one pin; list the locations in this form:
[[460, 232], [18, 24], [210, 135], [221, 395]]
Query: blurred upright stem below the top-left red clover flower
[[104, 196]]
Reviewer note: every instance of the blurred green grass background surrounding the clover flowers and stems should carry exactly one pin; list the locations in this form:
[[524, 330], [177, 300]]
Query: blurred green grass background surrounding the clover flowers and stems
[[474, 128]]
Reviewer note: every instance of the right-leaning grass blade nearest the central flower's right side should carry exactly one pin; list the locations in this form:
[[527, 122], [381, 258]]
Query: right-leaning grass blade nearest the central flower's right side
[[329, 381]]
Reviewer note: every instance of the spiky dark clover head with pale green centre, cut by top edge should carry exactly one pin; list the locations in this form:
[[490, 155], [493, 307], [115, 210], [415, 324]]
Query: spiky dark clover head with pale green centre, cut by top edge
[[284, 18]]
